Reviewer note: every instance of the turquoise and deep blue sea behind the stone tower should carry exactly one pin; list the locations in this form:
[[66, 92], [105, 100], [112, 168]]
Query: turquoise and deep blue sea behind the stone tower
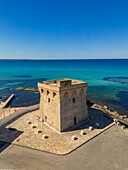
[[107, 79]]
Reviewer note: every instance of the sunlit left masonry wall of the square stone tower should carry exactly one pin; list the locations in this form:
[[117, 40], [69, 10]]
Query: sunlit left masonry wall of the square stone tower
[[50, 107]]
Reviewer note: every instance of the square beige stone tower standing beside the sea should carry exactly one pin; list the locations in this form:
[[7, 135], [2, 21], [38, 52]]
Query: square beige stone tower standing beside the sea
[[63, 103]]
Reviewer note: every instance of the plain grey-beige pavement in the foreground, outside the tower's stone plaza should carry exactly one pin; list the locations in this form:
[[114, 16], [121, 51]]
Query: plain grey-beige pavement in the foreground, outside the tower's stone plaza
[[109, 151]]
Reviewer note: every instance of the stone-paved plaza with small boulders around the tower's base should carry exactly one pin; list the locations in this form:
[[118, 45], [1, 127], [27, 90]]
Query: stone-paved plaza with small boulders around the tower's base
[[28, 131]]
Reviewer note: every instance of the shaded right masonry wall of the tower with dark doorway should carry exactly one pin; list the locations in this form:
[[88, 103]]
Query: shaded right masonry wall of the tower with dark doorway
[[73, 107]]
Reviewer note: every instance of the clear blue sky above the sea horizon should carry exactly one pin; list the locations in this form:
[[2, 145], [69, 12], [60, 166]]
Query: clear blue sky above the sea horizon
[[43, 29]]
